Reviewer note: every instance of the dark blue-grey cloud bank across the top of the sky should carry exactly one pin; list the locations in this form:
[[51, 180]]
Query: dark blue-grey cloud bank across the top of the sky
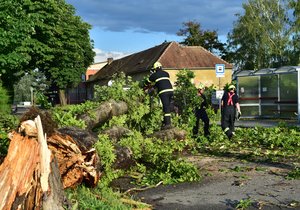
[[158, 16]]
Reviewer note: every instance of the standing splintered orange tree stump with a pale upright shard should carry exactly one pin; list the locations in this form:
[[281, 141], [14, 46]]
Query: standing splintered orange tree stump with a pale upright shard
[[29, 175]]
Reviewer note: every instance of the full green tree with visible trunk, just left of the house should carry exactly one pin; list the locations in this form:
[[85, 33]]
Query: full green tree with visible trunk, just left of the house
[[72, 49]]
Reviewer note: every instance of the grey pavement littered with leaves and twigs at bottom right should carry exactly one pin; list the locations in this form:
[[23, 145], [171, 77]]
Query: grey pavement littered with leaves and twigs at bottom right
[[226, 182]]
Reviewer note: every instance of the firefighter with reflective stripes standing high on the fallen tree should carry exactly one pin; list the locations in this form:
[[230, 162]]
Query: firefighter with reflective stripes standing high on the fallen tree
[[161, 80]]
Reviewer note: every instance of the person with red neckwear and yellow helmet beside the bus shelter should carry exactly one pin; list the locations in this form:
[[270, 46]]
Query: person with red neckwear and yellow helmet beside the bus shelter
[[229, 105]]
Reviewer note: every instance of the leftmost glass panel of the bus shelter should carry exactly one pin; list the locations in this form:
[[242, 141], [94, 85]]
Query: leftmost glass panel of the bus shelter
[[248, 89]]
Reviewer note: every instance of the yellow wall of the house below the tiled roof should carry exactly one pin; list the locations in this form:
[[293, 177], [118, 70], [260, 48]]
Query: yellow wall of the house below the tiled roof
[[207, 77]]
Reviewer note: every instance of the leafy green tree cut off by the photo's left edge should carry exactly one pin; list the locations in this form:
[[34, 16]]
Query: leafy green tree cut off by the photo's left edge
[[16, 29]]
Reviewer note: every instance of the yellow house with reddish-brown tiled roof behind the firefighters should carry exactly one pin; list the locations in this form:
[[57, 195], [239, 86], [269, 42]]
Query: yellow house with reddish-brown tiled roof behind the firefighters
[[173, 57]]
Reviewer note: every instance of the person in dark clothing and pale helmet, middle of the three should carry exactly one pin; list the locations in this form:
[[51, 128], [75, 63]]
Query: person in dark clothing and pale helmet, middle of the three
[[200, 113]]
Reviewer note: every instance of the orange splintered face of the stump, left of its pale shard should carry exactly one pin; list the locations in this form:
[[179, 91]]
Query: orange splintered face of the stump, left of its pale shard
[[19, 173]]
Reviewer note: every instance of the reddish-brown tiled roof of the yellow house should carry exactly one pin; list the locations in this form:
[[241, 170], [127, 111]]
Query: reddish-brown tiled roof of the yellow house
[[170, 54]]
